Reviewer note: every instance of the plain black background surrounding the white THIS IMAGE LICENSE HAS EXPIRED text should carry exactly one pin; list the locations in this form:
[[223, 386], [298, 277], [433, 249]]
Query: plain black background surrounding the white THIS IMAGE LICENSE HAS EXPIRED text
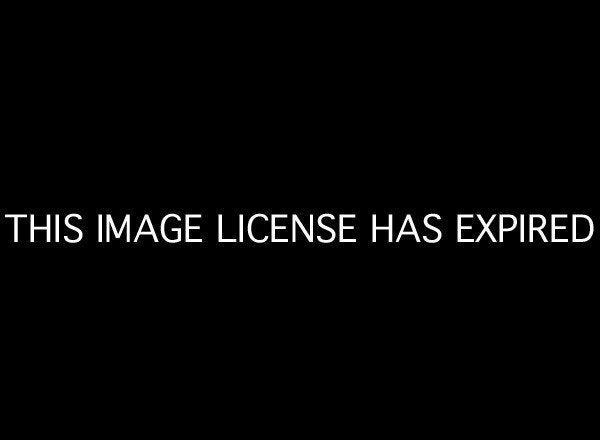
[[368, 113]]
